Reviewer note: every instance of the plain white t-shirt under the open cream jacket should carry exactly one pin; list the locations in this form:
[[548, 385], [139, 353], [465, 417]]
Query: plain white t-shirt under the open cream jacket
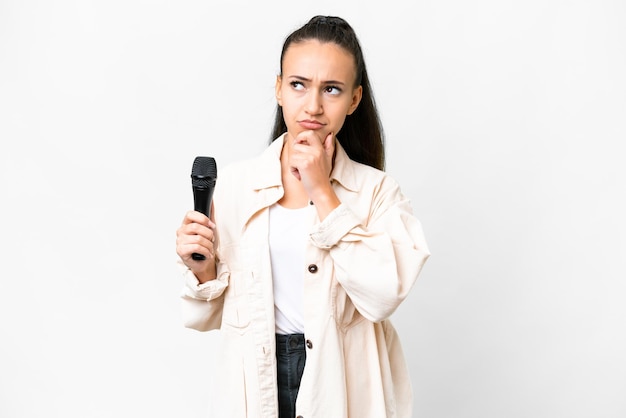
[[288, 232]]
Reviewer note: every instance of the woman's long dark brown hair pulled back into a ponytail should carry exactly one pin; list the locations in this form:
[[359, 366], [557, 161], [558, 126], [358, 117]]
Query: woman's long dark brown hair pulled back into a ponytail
[[362, 133]]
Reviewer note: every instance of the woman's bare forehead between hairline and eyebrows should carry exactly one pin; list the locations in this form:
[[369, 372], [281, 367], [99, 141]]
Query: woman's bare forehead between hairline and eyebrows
[[312, 58]]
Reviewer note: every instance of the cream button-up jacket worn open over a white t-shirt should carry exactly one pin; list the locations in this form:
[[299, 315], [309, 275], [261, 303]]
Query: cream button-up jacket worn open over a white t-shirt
[[362, 261]]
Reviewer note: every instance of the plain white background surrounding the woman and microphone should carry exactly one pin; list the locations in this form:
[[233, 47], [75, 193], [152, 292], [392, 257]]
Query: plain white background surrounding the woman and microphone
[[505, 122]]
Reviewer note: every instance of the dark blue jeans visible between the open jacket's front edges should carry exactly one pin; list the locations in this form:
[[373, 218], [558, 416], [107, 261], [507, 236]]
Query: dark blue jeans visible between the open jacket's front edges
[[290, 359]]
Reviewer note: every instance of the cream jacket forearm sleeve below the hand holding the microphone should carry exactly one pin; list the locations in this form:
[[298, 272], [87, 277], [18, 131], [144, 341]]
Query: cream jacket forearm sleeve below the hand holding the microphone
[[202, 304]]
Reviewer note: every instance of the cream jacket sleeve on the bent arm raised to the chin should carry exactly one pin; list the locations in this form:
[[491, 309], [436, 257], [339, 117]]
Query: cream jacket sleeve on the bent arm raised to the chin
[[377, 255]]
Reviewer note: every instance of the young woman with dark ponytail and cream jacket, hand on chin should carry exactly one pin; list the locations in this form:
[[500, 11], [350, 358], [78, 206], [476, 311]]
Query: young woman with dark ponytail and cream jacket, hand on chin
[[311, 249]]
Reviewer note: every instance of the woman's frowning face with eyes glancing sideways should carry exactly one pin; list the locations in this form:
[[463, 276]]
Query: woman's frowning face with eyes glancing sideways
[[316, 89]]
